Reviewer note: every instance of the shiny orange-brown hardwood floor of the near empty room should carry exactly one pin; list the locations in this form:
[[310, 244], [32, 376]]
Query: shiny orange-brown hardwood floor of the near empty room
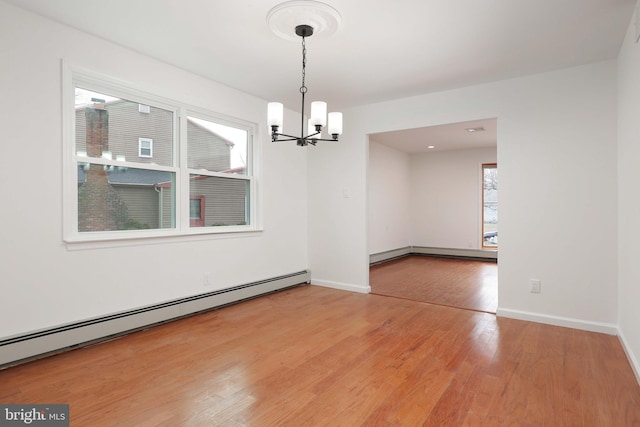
[[311, 356]]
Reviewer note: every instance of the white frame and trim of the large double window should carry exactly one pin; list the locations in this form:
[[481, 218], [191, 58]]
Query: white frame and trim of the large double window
[[74, 76]]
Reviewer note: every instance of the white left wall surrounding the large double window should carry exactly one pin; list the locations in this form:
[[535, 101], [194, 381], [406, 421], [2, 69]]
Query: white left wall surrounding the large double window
[[44, 284]]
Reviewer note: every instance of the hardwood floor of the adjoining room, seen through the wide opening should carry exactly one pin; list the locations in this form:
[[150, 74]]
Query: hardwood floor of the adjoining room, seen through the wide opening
[[457, 283]]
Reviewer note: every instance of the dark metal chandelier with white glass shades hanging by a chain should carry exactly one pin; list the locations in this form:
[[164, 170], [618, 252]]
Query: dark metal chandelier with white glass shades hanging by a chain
[[318, 116]]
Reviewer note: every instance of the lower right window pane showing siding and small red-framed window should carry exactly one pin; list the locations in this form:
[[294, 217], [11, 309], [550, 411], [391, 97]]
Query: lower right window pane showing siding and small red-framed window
[[224, 200]]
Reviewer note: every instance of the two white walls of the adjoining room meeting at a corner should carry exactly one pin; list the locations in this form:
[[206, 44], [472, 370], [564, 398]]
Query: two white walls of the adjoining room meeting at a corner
[[425, 199]]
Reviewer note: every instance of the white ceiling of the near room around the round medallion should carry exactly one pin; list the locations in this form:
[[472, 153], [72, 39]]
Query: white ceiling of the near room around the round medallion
[[383, 50]]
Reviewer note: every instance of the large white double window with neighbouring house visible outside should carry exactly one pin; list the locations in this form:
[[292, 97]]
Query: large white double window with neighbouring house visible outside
[[121, 185]]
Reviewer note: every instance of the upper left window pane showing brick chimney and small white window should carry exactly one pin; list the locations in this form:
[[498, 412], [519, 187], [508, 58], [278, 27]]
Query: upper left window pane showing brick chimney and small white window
[[105, 124]]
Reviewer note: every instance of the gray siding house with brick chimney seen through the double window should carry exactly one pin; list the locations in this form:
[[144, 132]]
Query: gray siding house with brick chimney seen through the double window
[[144, 198]]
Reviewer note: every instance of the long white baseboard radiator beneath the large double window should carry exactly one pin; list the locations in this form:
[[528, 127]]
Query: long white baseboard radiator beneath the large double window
[[22, 348]]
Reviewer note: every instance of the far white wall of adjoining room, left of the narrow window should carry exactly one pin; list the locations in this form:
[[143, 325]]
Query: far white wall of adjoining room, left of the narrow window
[[446, 198]]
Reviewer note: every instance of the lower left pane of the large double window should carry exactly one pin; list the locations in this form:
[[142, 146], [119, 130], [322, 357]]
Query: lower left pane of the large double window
[[116, 198]]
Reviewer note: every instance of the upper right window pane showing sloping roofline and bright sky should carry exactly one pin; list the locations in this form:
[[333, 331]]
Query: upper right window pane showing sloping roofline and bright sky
[[215, 147]]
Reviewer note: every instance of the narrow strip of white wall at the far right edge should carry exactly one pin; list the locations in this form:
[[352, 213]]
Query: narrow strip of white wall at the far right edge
[[628, 187]]
